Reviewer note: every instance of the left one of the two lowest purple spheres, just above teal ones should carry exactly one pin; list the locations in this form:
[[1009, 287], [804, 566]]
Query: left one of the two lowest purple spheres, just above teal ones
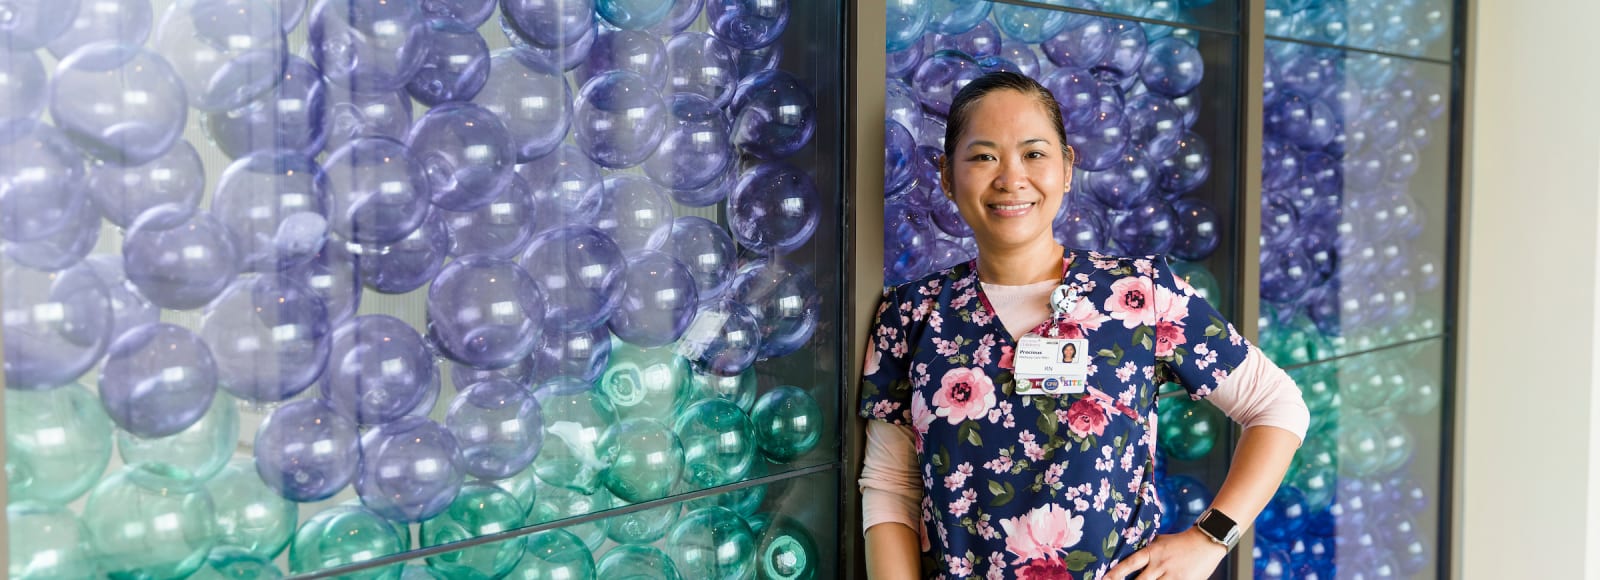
[[306, 451]]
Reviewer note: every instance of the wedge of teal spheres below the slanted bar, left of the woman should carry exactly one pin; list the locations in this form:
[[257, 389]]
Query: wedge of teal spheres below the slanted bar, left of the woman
[[775, 531]]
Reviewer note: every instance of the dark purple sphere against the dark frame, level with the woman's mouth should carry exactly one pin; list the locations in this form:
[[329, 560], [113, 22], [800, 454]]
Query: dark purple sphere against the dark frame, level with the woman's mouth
[[775, 209]]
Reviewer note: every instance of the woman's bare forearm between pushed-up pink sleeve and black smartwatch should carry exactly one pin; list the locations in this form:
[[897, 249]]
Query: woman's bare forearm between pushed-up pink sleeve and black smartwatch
[[1260, 462]]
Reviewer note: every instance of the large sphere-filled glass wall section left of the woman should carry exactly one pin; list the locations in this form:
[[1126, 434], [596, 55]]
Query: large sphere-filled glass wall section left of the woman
[[306, 288]]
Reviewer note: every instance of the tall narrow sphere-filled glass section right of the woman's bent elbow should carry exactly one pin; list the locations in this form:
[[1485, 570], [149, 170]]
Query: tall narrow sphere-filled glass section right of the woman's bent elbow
[[1358, 225]]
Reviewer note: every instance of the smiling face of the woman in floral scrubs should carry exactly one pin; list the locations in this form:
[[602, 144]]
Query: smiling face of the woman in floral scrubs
[[1009, 174]]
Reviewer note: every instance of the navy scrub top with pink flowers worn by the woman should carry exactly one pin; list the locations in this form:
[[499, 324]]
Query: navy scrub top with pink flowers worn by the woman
[[1041, 486]]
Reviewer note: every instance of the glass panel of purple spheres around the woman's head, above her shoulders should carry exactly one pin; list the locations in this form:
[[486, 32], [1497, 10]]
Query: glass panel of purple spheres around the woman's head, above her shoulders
[[1154, 169]]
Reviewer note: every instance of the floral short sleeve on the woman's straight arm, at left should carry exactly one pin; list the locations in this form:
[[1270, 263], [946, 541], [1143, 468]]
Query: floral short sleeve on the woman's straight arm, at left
[[886, 382]]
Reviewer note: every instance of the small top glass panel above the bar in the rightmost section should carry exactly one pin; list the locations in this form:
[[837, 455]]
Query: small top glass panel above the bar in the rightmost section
[[1418, 28]]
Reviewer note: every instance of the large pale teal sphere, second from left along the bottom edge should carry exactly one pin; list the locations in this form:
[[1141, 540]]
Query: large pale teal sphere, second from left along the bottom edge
[[150, 523]]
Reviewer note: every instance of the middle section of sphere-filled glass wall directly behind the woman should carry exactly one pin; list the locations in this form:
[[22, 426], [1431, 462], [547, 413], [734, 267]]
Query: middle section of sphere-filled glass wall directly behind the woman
[[1153, 116]]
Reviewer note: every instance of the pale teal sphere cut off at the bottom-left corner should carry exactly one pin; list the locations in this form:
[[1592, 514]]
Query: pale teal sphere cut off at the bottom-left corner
[[47, 542]]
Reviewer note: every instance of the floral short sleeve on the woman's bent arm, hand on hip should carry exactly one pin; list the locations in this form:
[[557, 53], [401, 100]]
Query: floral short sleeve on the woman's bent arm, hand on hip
[[1194, 345]]
